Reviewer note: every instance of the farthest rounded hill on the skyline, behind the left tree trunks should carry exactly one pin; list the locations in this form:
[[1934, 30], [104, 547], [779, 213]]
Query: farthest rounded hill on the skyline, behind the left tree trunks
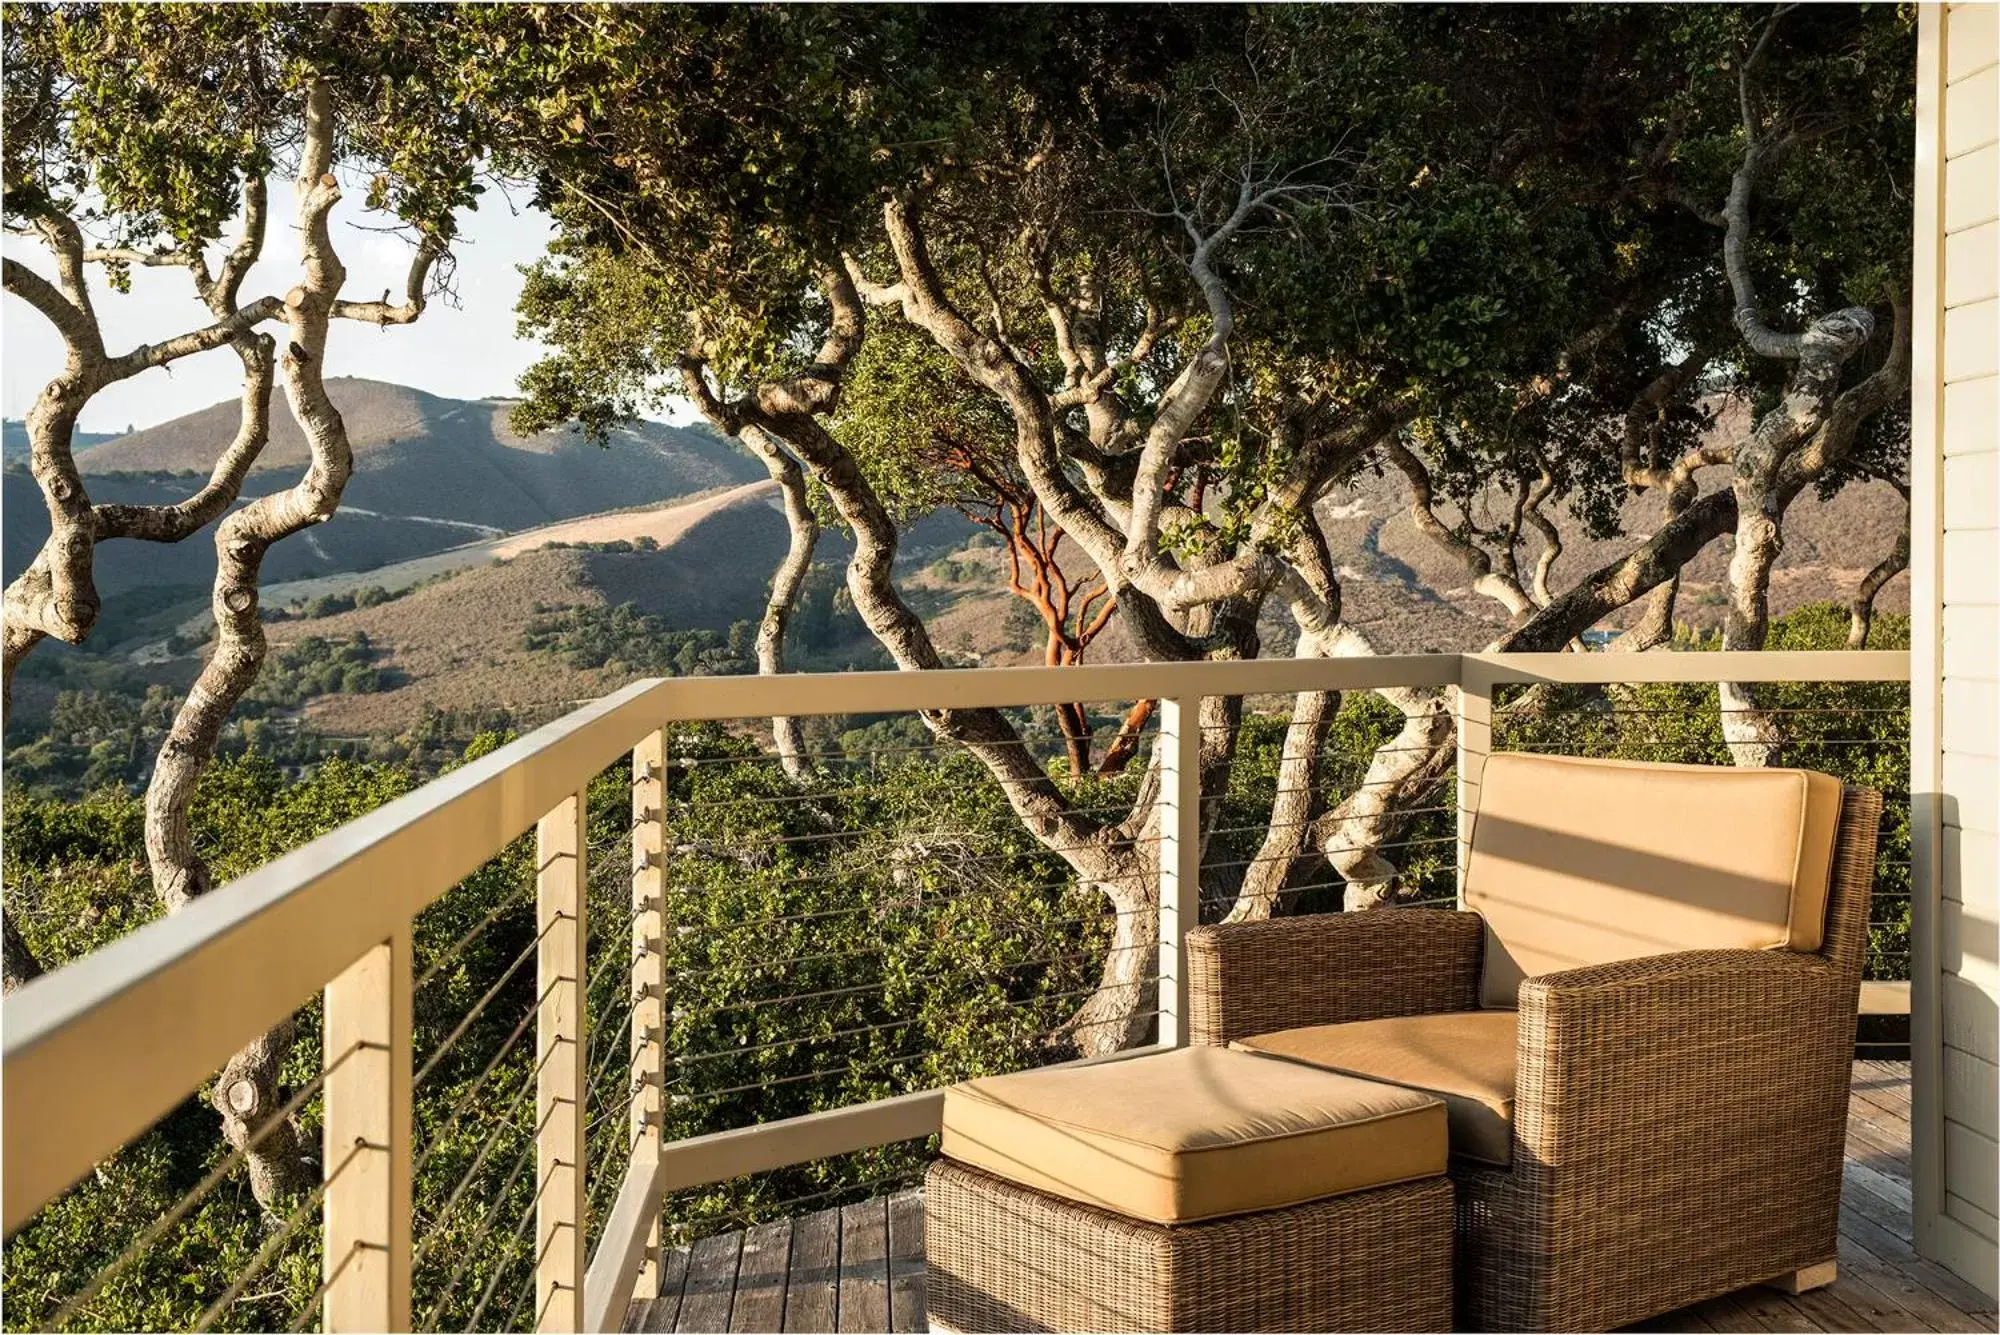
[[429, 475]]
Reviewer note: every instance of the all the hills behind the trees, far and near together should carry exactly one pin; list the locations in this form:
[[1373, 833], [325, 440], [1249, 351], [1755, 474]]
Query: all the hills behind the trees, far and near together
[[483, 533]]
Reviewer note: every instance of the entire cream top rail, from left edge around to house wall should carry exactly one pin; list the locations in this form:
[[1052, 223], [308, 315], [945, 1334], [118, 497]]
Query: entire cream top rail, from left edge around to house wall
[[99, 1050]]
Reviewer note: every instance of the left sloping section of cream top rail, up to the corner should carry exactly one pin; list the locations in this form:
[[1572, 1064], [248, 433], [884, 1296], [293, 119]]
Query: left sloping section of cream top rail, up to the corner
[[105, 1046]]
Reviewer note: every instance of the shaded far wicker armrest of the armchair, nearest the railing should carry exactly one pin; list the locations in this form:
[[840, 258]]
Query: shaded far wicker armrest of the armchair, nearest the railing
[[1331, 968]]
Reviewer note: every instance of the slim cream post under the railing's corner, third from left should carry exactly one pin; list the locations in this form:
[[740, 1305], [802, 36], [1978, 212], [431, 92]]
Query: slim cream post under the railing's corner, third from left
[[649, 972]]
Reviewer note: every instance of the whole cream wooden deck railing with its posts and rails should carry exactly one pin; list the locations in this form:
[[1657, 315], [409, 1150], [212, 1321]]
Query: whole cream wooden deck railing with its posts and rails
[[101, 1050]]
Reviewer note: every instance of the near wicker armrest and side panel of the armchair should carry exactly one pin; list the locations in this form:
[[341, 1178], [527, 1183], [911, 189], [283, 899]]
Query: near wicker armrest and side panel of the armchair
[[1679, 1124]]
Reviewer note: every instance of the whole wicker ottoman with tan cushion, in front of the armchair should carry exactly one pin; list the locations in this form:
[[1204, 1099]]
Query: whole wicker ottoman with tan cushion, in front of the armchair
[[1201, 1190]]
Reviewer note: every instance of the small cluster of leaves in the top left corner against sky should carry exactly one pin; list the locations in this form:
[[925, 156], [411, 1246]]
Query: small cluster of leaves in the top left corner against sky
[[143, 123]]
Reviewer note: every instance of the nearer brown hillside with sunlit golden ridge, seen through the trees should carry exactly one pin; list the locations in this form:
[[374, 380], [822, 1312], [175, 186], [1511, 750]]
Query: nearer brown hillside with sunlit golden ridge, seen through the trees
[[461, 643]]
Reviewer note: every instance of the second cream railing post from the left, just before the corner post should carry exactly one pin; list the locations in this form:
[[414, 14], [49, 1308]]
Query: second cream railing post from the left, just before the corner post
[[559, 1052]]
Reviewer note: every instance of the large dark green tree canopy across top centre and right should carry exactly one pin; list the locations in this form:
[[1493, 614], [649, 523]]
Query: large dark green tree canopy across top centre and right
[[1491, 227]]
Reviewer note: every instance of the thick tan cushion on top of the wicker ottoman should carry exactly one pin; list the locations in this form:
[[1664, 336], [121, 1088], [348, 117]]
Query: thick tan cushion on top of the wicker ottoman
[[1193, 1134]]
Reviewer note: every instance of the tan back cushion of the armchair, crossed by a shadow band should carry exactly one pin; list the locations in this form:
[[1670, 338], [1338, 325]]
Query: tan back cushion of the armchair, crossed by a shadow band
[[1581, 862]]
